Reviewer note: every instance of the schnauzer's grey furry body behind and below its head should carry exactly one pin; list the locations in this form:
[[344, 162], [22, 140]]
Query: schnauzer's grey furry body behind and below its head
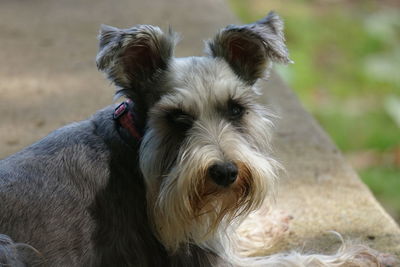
[[78, 198]]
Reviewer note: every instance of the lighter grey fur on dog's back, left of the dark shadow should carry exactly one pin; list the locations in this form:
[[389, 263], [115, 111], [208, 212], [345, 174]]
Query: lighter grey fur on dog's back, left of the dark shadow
[[46, 189]]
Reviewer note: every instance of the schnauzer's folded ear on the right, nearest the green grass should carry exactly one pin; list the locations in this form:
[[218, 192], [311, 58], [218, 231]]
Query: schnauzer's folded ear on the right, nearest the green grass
[[251, 49]]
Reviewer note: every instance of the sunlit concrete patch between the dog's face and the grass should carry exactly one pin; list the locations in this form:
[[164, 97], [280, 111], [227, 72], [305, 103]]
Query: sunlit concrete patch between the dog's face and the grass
[[320, 190]]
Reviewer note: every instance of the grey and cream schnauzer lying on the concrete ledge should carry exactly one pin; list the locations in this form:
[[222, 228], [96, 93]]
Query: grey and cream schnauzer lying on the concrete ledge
[[167, 177]]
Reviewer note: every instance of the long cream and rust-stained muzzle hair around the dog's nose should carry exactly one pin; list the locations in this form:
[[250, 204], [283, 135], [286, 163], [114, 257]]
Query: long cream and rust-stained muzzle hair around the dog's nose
[[188, 207]]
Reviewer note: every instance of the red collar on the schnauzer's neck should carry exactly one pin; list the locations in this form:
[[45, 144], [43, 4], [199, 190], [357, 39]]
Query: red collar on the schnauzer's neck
[[126, 118]]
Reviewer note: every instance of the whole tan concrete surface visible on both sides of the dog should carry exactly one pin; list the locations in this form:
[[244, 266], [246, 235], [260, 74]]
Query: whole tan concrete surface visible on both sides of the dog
[[48, 78]]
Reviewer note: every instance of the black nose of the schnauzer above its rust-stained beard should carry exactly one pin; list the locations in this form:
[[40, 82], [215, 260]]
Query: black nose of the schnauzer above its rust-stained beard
[[223, 173]]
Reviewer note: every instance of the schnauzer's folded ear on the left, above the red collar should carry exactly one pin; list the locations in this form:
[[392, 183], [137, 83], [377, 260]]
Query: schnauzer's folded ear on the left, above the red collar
[[135, 58]]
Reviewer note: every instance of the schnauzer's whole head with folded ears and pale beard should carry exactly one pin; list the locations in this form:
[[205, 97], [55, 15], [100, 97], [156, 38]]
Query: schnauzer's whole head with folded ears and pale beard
[[205, 151]]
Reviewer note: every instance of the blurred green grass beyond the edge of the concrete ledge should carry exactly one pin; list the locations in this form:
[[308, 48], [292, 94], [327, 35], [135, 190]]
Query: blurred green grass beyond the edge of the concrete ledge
[[347, 74]]
